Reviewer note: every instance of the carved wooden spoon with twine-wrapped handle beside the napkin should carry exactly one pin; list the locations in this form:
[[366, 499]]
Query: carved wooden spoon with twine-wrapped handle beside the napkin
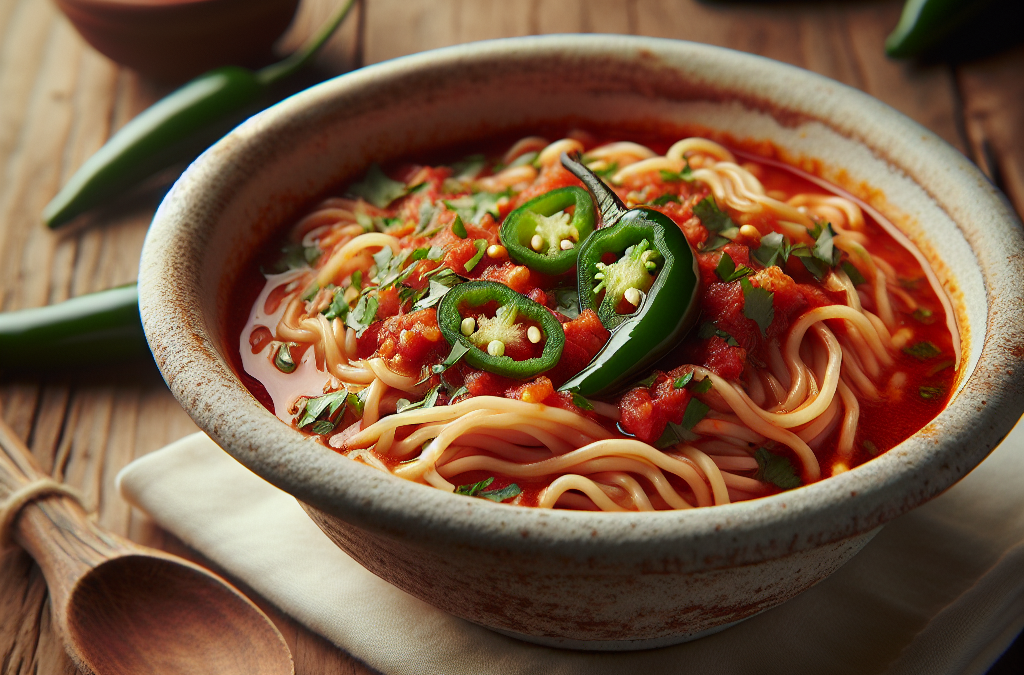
[[123, 609]]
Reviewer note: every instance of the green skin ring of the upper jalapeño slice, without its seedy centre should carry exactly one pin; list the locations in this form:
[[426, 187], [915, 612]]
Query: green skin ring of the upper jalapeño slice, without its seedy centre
[[521, 227]]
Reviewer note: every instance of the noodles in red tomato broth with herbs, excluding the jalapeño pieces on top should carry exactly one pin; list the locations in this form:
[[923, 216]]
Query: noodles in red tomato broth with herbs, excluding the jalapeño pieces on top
[[799, 393]]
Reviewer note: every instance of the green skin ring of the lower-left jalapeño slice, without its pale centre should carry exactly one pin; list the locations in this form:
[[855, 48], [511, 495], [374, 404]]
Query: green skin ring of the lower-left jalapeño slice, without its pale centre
[[480, 293]]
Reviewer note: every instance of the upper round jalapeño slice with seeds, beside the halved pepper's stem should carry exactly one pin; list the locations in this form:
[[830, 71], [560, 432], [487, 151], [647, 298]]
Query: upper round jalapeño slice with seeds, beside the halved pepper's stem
[[541, 235]]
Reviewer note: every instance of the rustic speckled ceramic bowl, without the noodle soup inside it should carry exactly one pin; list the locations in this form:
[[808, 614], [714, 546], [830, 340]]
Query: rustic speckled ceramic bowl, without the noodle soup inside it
[[600, 581]]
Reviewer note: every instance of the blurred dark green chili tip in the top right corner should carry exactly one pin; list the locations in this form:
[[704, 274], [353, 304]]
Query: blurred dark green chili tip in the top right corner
[[925, 24]]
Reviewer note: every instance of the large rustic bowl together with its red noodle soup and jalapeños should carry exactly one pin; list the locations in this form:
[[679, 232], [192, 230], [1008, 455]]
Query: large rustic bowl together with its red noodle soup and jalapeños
[[601, 343]]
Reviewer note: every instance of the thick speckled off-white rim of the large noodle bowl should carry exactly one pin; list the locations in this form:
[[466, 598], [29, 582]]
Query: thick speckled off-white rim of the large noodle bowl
[[980, 415]]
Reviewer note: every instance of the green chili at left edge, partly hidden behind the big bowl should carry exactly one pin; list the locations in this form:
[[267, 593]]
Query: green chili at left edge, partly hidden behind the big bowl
[[89, 329]]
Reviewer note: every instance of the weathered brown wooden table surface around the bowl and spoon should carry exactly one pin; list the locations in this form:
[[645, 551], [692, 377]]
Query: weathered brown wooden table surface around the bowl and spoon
[[60, 100]]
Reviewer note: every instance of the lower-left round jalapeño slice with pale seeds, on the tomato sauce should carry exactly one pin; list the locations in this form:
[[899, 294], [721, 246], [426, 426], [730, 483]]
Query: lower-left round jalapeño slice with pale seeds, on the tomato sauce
[[481, 337]]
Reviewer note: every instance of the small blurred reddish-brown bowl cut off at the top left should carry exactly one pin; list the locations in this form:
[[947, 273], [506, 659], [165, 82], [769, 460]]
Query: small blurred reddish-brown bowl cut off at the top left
[[175, 40]]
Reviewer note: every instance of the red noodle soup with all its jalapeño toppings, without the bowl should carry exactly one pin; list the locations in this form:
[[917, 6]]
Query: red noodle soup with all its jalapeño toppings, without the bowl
[[728, 328]]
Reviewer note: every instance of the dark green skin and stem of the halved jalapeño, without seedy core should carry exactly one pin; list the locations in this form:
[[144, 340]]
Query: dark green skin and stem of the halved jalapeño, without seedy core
[[667, 312]]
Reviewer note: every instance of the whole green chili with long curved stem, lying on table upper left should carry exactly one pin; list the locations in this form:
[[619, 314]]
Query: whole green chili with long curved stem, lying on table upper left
[[177, 130]]
